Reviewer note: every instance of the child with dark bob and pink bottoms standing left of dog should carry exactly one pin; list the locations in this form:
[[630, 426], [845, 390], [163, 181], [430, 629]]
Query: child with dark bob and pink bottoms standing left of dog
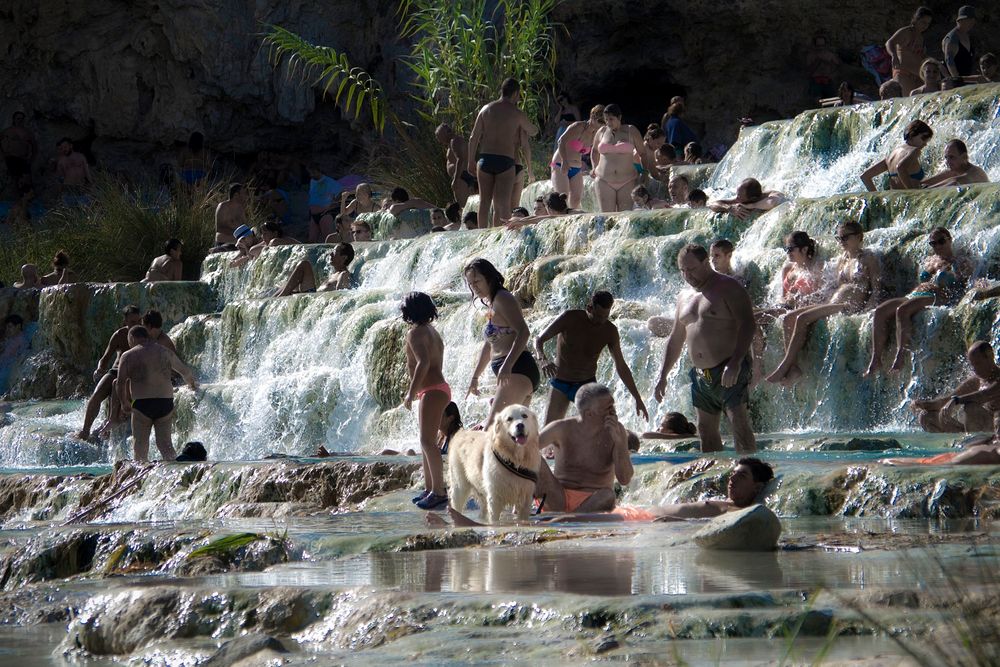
[[424, 360]]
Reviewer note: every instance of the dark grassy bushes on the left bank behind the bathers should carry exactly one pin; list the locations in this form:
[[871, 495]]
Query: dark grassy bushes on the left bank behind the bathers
[[117, 234]]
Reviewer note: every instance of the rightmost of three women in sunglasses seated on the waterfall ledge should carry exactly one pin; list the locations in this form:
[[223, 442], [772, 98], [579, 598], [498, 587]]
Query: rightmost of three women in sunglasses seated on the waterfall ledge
[[943, 277]]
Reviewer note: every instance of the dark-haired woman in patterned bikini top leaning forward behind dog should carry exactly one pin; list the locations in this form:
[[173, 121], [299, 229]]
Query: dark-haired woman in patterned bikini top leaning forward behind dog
[[506, 334]]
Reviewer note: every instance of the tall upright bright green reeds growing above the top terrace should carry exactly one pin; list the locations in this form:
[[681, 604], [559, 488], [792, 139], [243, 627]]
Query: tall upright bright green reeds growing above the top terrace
[[461, 54]]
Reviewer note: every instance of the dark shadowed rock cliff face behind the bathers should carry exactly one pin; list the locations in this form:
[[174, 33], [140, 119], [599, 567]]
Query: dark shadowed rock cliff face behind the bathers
[[149, 72]]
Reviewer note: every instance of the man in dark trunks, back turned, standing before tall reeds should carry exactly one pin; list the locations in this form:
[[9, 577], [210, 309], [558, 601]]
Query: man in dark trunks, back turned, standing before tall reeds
[[492, 151]]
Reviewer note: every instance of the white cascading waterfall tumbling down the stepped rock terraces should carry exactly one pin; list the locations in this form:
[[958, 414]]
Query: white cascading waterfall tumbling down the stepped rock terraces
[[287, 375]]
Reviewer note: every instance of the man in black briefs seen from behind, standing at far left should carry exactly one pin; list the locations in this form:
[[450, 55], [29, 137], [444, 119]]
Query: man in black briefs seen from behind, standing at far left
[[147, 393]]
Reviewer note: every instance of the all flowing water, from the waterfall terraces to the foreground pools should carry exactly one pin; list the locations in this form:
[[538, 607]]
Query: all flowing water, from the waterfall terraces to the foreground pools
[[282, 376]]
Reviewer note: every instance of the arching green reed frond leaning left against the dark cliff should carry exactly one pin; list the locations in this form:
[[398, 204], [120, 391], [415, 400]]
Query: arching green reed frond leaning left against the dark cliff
[[326, 67]]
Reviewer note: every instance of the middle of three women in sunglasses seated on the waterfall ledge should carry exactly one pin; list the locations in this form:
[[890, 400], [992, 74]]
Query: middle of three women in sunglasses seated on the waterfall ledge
[[857, 280]]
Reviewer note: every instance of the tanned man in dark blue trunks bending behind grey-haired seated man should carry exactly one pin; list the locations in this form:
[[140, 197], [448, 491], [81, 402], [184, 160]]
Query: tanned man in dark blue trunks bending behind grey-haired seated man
[[581, 336]]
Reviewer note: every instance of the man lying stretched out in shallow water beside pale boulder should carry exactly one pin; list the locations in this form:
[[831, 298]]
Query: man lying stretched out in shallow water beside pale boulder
[[745, 487]]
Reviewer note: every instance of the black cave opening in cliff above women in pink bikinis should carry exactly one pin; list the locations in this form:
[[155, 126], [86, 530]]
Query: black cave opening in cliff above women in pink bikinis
[[643, 94]]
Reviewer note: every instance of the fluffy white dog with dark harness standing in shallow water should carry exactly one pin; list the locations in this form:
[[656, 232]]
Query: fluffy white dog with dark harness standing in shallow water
[[497, 467]]
